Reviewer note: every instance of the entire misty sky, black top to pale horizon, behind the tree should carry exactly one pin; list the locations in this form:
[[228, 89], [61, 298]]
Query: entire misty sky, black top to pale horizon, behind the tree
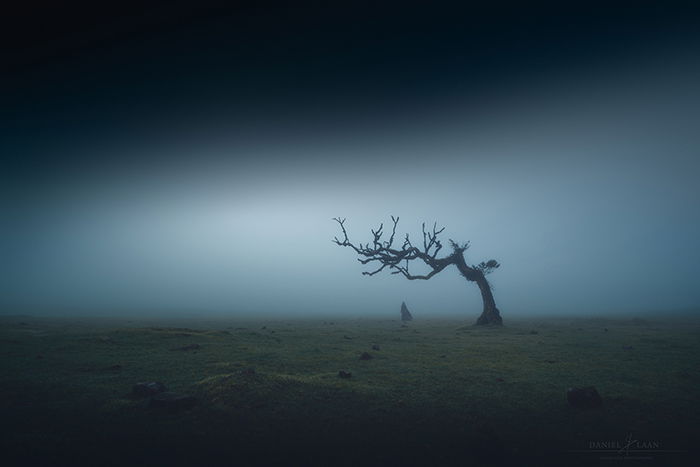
[[189, 155]]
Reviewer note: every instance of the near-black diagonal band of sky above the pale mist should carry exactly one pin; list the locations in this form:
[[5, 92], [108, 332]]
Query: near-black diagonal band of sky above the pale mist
[[91, 71]]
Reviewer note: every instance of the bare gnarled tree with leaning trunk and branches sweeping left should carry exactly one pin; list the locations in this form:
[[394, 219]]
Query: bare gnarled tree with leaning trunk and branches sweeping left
[[386, 255]]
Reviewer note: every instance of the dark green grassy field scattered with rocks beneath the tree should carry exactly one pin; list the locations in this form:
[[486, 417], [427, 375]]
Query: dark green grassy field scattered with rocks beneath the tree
[[436, 392]]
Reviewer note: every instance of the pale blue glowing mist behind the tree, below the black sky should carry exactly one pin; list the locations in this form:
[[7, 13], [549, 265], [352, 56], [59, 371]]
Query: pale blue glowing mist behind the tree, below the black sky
[[587, 213]]
